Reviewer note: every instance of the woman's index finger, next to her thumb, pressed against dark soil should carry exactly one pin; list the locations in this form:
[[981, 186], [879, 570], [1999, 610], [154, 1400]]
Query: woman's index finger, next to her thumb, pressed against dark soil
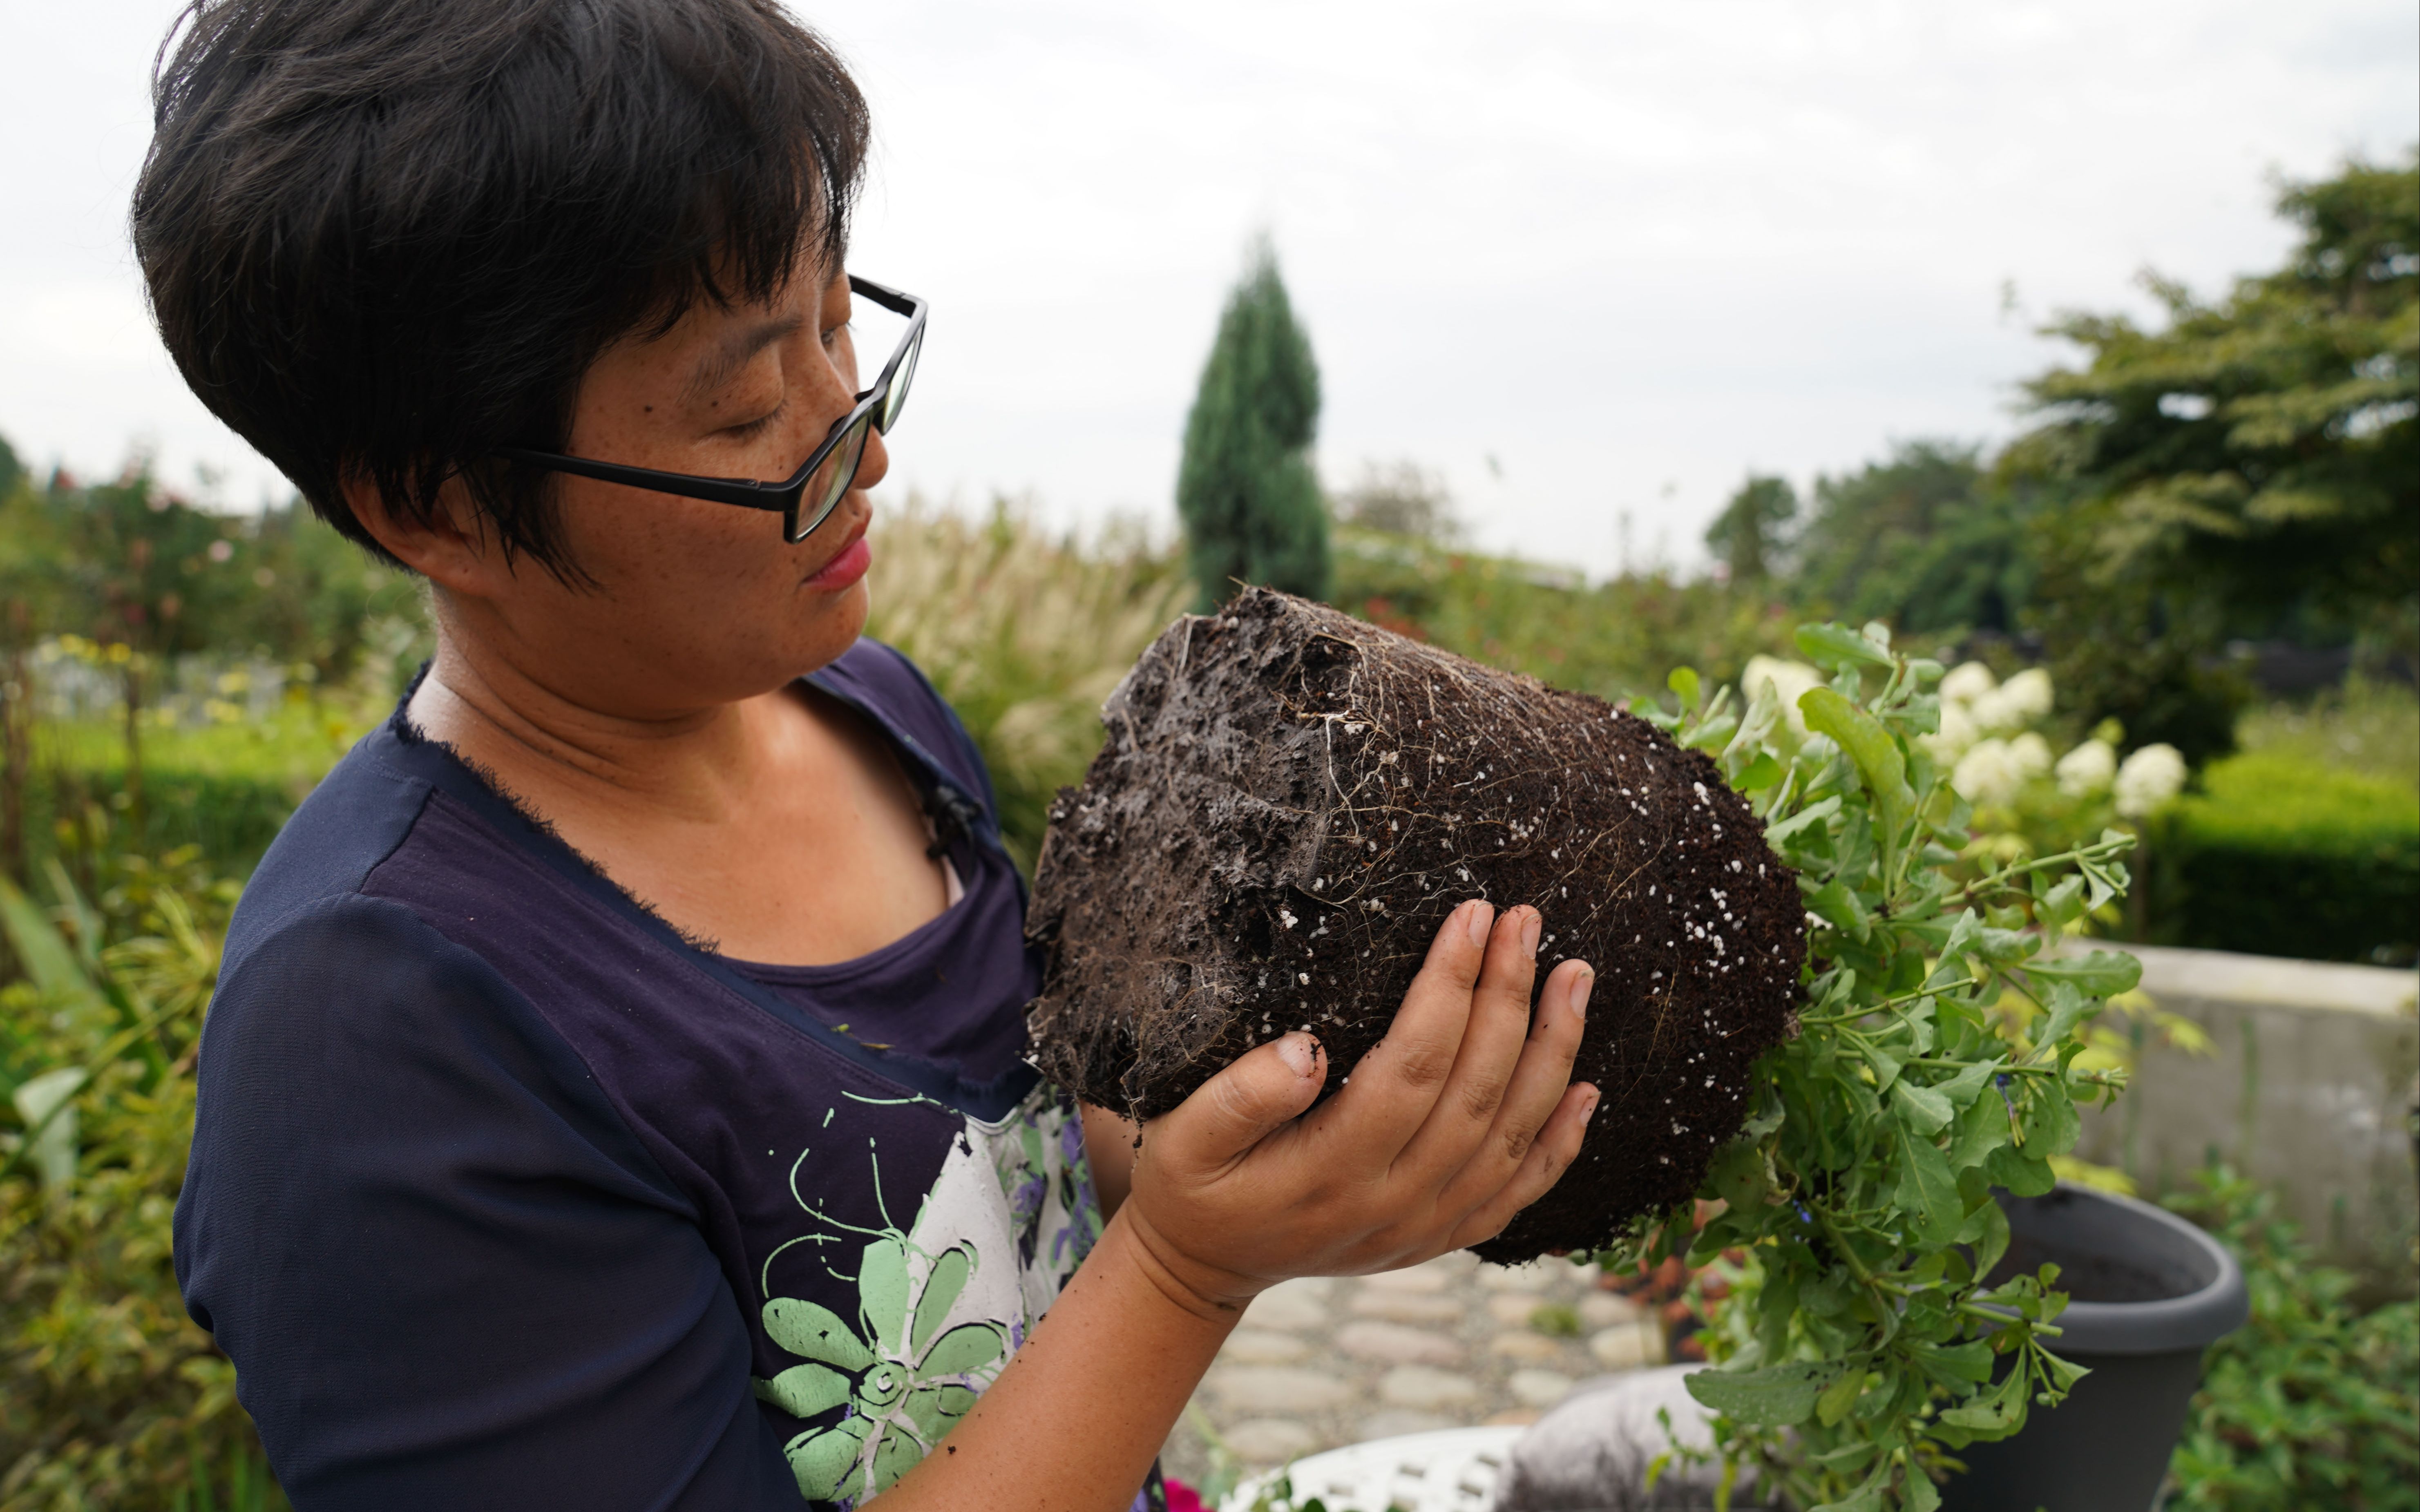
[[1398, 1083]]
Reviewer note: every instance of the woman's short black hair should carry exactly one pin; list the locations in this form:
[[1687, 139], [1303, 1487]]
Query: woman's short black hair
[[388, 236]]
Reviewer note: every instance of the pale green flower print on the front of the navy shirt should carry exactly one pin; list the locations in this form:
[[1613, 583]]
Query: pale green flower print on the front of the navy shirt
[[906, 1380]]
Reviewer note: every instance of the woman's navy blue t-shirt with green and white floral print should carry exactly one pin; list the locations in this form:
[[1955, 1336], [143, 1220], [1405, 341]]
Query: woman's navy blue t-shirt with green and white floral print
[[509, 1196]]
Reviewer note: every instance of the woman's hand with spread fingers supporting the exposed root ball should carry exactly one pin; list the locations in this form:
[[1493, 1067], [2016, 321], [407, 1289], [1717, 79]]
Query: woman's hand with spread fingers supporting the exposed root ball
[[1451, 1126]]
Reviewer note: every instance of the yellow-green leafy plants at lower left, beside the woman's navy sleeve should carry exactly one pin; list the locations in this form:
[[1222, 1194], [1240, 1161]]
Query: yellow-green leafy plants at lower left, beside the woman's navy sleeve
[[110, 1397]]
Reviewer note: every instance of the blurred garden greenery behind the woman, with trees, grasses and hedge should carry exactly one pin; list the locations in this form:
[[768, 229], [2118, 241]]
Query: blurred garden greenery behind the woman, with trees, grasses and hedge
[[2184, 599]]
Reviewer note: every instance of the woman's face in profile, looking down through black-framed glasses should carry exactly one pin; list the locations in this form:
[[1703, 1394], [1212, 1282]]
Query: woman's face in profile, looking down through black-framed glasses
[[693, 604]]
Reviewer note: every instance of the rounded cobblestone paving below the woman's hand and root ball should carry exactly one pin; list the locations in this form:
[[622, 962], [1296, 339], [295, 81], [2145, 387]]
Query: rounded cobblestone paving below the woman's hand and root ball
[[1451, 1344]]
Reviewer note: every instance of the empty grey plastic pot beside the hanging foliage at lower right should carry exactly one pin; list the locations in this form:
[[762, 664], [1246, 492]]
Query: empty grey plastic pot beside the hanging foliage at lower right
[[2150, 1295]]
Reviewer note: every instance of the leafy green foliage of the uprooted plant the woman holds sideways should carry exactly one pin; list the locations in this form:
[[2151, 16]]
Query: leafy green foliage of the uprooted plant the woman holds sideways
[[1937, 1061]]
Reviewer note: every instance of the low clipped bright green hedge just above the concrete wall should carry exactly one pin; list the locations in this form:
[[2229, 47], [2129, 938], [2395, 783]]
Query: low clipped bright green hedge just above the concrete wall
[[2291, 858]]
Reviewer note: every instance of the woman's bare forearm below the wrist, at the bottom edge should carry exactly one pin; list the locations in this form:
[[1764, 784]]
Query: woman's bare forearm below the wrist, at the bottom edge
[[1078, 1416]]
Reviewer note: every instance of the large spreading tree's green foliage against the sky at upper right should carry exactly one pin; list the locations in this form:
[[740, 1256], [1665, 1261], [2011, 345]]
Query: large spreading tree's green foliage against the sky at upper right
[[2264, 449]]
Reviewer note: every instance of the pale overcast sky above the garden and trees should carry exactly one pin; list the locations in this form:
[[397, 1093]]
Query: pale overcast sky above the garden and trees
[[1623, 250]]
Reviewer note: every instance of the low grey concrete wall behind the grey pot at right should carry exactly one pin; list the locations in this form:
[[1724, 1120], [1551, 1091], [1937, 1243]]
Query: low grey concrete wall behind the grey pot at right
[[2312, 1087]]
